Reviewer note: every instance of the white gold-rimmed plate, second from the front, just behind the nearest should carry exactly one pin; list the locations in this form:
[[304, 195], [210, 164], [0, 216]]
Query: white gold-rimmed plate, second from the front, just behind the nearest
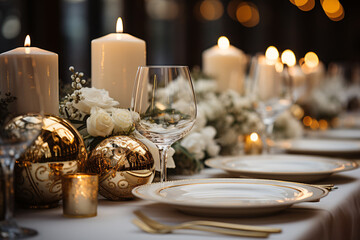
[[300, 168]]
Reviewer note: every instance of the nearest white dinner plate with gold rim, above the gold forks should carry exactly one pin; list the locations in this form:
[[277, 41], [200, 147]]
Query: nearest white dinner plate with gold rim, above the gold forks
[[229, 196]]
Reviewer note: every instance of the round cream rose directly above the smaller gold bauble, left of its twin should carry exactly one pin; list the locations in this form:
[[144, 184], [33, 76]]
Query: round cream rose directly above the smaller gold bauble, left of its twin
[[99, 123]]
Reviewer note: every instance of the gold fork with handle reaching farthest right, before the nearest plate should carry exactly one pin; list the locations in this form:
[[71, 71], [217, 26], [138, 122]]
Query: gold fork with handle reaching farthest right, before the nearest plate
[[157, 225]]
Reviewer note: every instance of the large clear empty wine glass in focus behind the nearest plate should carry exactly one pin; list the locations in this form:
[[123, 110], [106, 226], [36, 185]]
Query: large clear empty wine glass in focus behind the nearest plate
[[163, 106]]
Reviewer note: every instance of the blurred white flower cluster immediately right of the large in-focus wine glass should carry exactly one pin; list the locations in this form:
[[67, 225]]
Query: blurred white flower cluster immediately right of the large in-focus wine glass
[[220, 120]]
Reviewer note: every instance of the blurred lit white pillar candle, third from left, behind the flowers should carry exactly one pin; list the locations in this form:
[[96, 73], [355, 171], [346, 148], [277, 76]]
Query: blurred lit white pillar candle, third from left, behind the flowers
[[226, 64]]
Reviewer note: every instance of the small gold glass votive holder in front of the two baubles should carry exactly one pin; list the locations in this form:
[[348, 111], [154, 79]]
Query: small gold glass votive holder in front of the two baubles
[[80, 191]]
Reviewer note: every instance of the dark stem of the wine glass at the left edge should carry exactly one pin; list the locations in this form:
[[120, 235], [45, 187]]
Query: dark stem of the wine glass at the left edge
[[7, 166]]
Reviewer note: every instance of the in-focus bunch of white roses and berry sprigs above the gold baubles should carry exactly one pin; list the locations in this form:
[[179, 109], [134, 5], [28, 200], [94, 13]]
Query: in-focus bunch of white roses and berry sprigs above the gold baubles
[[94, 112]]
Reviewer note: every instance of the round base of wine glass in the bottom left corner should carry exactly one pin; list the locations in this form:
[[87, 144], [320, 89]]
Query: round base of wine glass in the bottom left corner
[[10, 230]]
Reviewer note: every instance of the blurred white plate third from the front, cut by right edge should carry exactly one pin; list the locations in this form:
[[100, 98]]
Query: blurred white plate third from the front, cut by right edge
[[322, 146]]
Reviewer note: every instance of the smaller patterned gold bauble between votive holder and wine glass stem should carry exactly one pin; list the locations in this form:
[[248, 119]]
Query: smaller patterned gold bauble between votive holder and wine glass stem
[[122, 163]]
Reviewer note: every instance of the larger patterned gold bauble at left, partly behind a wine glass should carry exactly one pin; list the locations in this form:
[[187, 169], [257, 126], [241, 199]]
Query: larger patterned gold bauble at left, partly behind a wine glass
[[58, 150]]
